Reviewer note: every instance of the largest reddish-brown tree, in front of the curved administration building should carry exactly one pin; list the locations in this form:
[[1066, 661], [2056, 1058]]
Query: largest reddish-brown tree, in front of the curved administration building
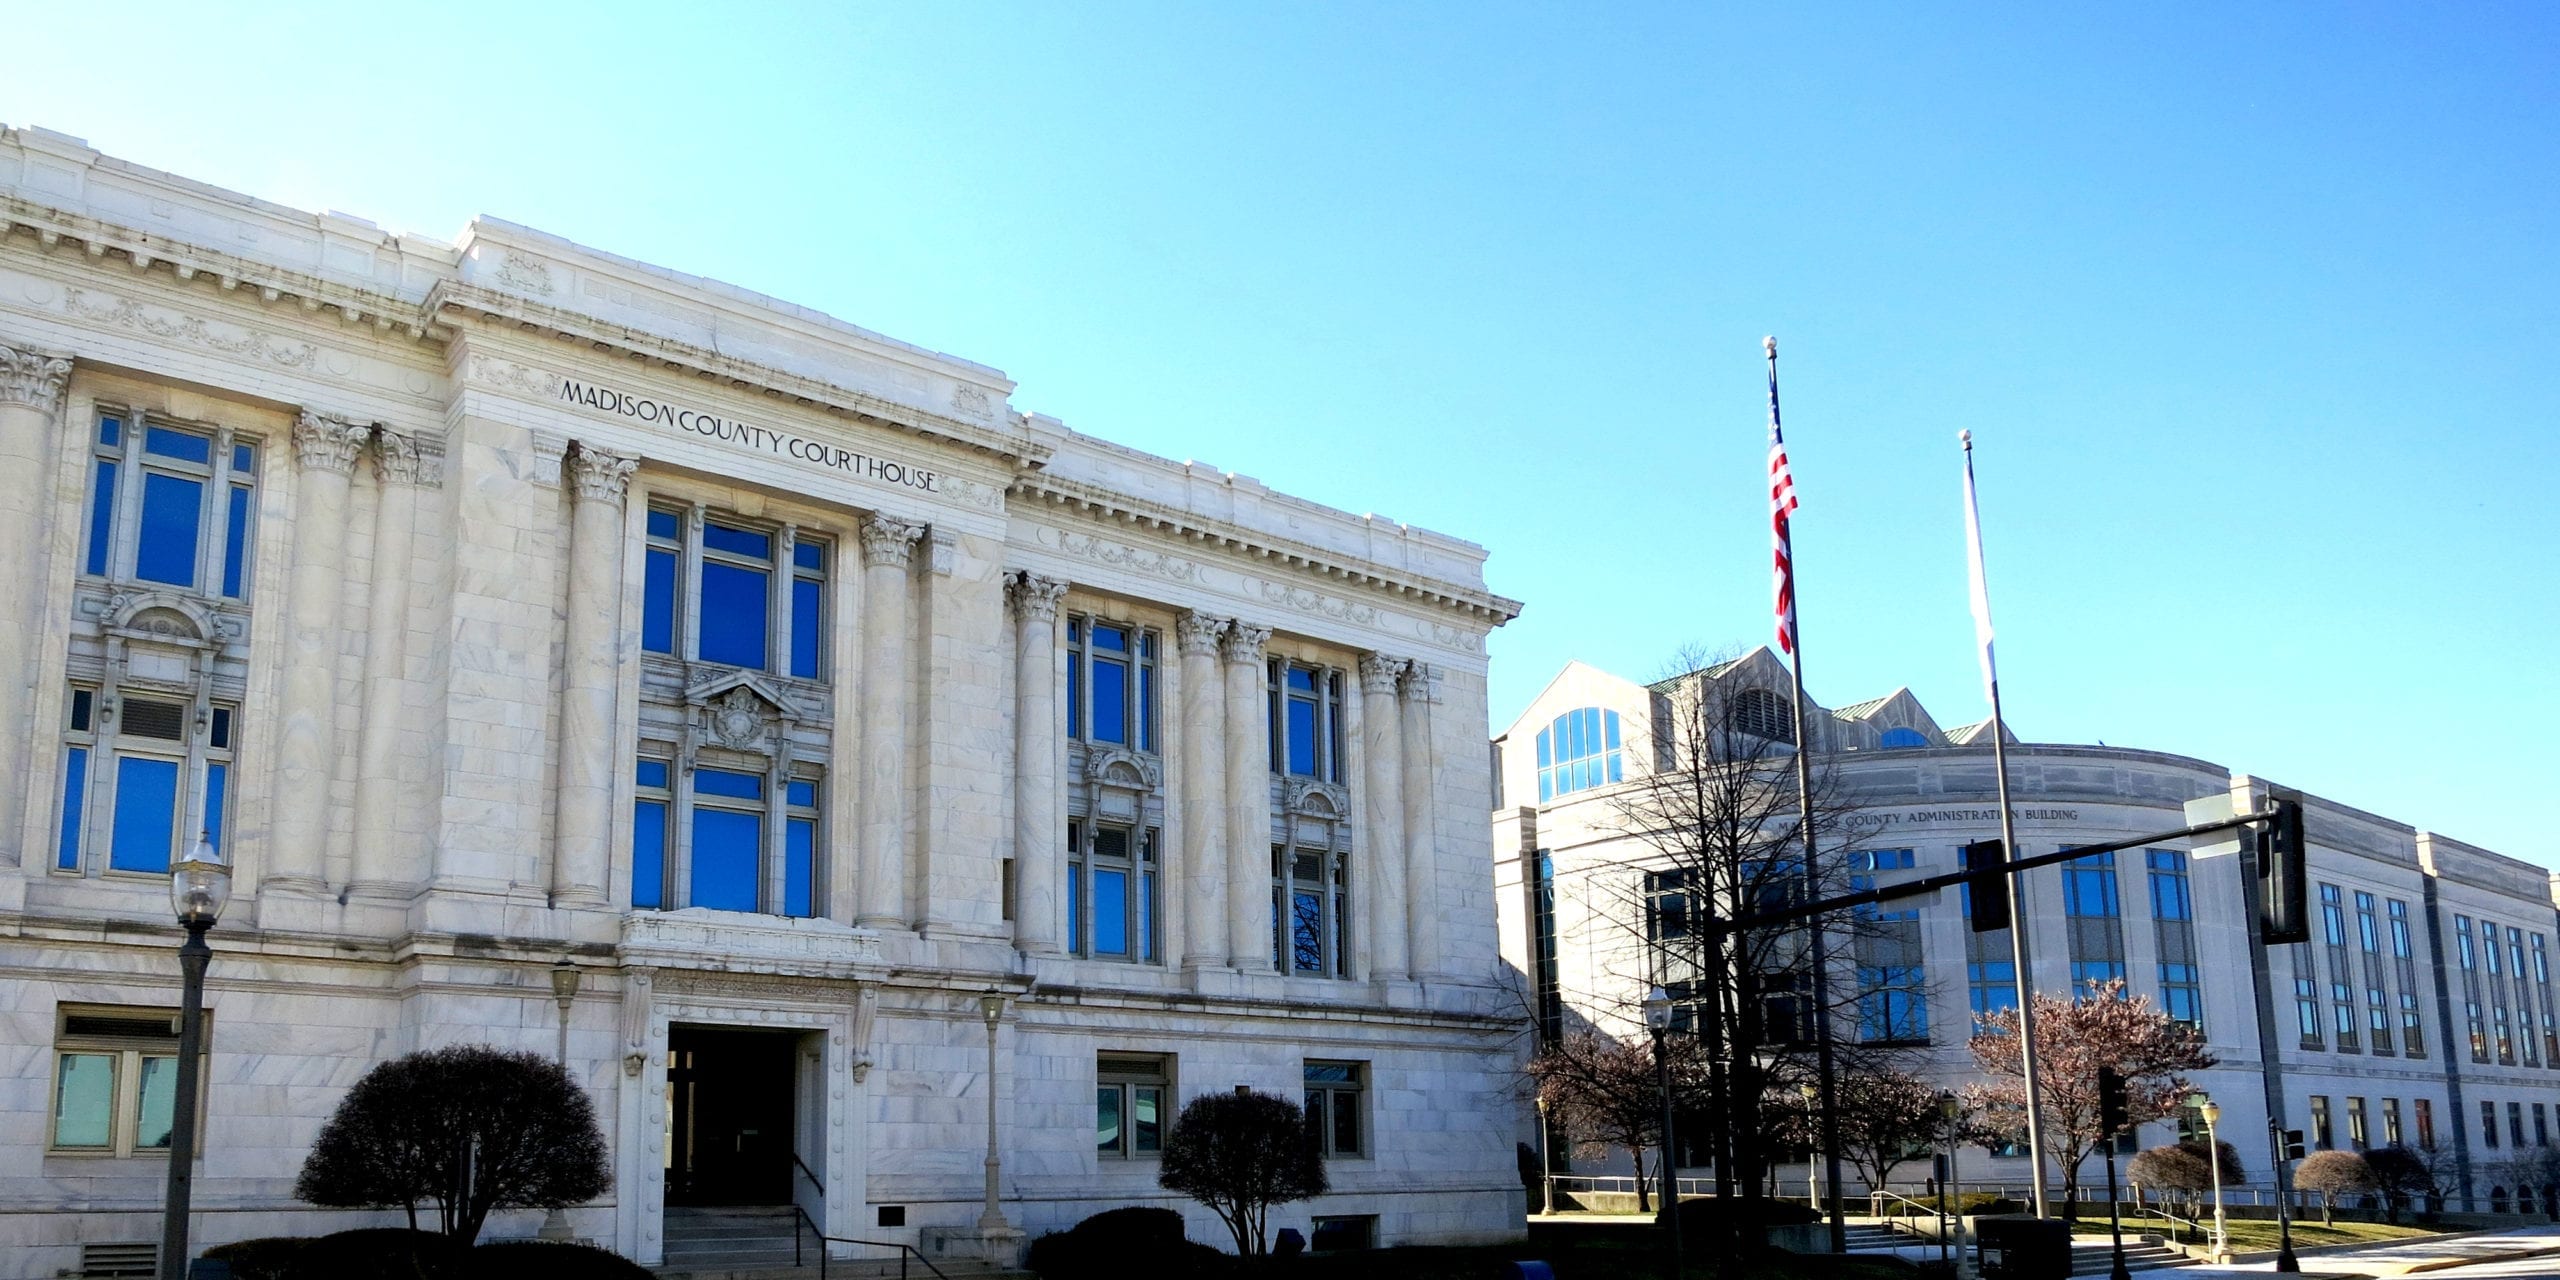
[[2072, 1041]]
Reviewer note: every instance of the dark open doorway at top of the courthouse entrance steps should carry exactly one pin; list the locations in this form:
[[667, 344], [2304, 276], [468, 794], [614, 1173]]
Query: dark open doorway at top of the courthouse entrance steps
[[731, 1117]]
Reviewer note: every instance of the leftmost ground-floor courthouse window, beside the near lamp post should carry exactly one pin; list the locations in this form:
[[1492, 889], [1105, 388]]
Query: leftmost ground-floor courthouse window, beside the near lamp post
[[116, 1079]]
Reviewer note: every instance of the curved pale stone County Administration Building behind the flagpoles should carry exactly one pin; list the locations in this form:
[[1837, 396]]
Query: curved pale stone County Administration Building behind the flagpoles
[[2420, 1012]]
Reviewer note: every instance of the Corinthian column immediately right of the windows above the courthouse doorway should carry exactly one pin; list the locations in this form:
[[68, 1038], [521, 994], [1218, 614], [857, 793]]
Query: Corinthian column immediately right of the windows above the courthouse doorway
[[882, 892]]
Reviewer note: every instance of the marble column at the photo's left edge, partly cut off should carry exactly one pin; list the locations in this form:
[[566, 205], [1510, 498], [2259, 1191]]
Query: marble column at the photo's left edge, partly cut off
[[29, 411]]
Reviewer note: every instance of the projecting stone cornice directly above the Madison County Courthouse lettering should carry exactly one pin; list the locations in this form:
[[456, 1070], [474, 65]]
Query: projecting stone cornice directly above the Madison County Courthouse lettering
[[457, 306]]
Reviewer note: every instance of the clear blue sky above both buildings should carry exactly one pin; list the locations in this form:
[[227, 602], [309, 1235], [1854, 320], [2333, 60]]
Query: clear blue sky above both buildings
[[2254, 314]]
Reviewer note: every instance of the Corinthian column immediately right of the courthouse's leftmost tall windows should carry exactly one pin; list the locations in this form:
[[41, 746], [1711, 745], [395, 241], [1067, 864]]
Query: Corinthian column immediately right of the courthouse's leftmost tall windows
[[308, 705]]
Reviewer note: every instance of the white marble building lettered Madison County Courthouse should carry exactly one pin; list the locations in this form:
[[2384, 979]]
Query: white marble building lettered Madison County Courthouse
[[506, 603]]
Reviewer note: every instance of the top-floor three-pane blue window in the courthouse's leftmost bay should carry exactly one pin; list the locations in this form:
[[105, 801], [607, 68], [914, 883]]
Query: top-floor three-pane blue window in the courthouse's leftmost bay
[[170, 506]]
